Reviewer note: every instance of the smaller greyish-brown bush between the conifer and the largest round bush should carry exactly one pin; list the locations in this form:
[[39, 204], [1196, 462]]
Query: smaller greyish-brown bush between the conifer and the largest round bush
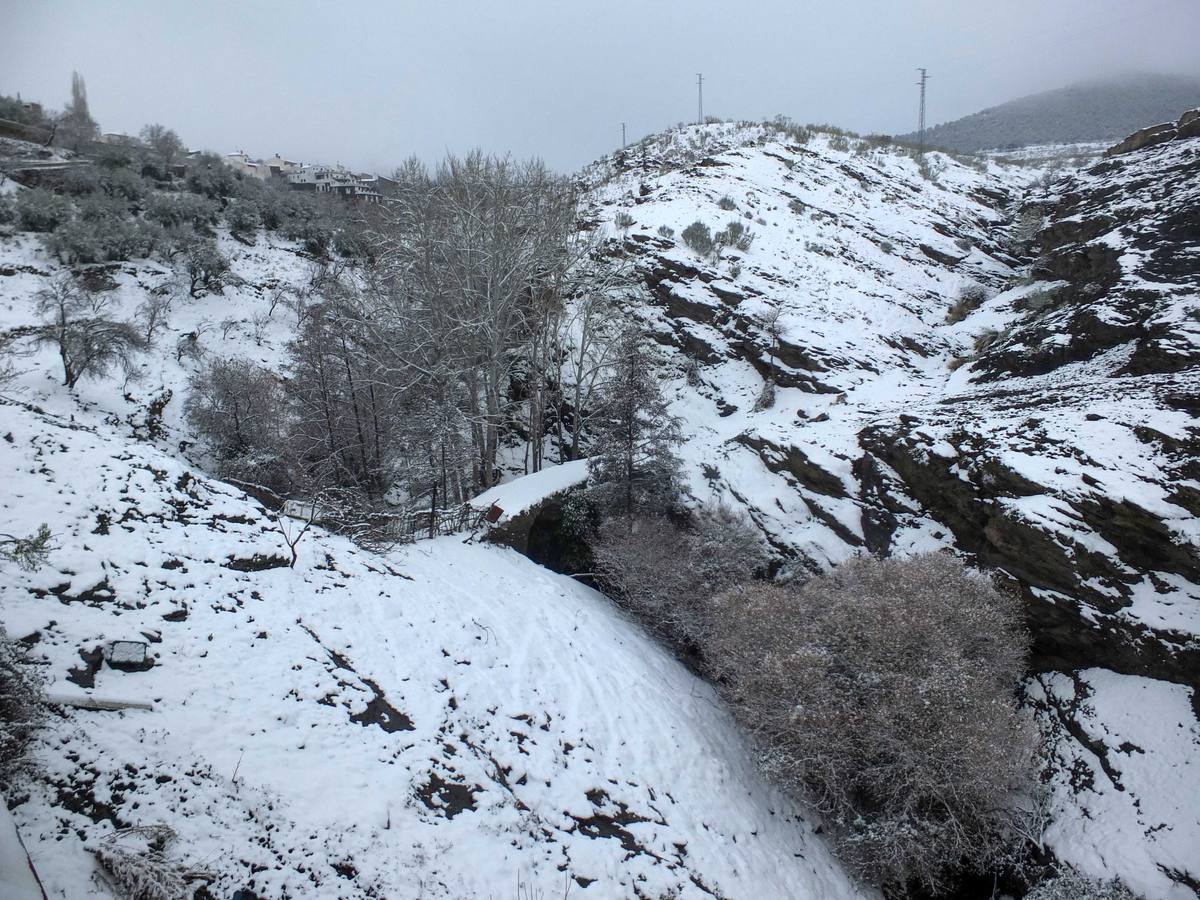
[[668, 573]]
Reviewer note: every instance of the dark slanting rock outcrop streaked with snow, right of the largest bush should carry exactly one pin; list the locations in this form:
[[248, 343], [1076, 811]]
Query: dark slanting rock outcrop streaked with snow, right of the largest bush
[[1022, 483]]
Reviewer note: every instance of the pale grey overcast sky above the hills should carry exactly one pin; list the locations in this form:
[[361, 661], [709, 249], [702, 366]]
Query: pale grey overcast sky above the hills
[[371, 82]]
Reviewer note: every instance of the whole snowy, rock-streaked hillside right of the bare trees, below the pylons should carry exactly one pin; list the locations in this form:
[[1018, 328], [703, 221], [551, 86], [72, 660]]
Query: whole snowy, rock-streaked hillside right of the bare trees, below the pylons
[[1046, 428]]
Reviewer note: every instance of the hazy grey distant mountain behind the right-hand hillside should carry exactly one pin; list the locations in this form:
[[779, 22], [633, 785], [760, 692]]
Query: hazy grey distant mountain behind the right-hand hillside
[[1091, 111]]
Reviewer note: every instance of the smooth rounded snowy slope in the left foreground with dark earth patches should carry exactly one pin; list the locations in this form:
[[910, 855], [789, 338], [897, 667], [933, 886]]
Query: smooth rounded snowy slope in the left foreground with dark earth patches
[[436, 724]]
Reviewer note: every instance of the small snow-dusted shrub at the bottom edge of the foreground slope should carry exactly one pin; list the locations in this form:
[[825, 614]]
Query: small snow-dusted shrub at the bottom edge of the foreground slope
[[136, 859]]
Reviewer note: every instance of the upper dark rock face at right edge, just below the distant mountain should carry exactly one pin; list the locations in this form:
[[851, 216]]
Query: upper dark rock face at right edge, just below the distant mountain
[[1123, 239]]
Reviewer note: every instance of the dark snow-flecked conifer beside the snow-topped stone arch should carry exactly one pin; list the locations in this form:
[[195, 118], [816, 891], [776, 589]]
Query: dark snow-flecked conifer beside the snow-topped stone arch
[[634, 467]]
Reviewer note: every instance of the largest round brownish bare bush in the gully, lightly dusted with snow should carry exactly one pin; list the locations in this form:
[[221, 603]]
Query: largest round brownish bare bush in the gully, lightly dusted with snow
[[886, 694]]
